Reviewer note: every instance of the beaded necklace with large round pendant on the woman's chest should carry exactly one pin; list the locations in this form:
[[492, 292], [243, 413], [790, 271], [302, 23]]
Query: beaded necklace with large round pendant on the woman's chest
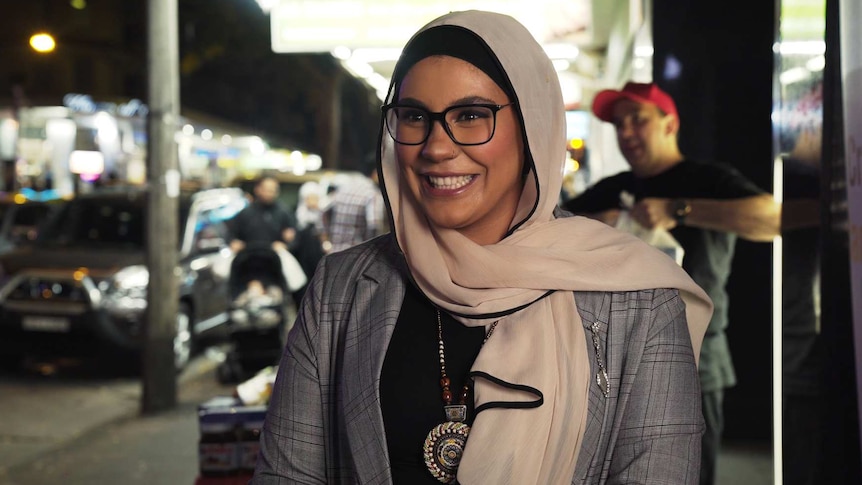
[[445, 443]]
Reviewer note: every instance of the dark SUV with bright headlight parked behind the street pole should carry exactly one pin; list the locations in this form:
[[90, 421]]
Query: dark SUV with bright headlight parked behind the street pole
[[81, 287]]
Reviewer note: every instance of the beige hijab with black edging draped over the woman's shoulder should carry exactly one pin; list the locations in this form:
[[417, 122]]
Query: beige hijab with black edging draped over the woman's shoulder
[[542, 345]]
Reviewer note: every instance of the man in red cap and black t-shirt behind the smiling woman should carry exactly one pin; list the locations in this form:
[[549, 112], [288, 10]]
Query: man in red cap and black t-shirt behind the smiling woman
[[705, 206]]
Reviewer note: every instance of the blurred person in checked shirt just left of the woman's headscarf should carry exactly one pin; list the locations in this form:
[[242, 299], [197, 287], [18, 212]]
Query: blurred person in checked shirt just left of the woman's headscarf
[[356, 213]]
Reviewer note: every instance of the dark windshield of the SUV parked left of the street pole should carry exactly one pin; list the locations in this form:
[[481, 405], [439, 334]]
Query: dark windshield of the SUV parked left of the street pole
[[97, 223]]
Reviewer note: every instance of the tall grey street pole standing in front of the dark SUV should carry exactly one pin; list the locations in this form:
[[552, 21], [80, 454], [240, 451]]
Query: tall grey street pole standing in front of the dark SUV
[[158, 370]]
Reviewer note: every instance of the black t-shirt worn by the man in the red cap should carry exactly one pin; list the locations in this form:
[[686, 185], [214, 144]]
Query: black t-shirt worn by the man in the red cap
[[708, 254]]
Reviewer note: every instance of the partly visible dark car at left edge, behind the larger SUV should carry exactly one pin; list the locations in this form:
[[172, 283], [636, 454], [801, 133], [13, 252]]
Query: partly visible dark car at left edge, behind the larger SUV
[[20, 219]]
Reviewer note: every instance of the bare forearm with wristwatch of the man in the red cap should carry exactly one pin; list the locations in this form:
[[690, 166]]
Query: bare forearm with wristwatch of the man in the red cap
[[755, 218]]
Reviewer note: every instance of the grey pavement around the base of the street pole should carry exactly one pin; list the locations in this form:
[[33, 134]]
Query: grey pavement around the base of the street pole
[[91, 431]]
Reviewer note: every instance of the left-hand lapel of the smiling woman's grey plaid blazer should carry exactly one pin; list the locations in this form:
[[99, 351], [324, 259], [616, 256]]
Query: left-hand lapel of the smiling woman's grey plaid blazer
[[378, 299]]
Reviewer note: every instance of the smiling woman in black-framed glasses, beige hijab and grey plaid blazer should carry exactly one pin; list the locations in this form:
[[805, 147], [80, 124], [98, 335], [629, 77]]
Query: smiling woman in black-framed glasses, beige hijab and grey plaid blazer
[[488, 339]]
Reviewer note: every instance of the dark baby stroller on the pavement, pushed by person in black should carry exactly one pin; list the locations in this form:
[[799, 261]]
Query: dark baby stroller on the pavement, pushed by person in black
[[258, 313]]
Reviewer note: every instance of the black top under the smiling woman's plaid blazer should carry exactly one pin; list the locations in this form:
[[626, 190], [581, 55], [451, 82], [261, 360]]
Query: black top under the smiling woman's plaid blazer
[[410, 382]]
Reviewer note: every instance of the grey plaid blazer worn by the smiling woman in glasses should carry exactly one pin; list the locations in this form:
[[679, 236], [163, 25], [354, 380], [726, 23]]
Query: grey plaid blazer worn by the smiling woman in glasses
[[324, 424]]
